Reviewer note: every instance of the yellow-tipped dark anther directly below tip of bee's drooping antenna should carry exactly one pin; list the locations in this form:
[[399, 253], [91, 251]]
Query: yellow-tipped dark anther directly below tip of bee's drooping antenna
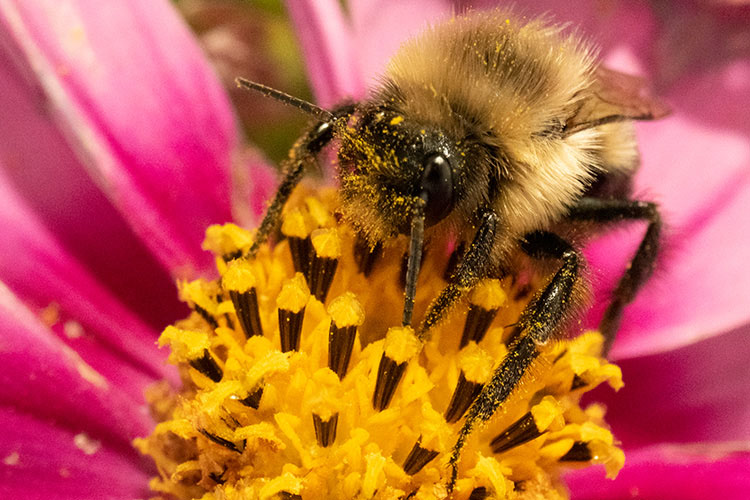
[[401, 345]]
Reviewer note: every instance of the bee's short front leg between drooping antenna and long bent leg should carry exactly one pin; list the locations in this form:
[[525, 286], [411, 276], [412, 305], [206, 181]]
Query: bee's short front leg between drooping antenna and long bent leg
[[474, 266]]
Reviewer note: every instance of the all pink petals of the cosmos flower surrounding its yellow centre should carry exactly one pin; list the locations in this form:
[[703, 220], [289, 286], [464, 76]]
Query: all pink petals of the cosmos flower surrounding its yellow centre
[[120, 94]]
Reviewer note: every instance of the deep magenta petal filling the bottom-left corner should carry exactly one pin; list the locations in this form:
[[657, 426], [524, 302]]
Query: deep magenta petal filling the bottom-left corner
[[40, 461]]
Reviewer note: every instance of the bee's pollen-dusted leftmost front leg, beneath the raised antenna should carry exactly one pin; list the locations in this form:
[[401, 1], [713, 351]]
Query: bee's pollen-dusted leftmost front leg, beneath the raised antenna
[[302, 153]]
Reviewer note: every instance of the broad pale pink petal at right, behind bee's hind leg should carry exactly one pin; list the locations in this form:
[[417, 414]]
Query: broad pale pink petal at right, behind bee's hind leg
[[697, 166]]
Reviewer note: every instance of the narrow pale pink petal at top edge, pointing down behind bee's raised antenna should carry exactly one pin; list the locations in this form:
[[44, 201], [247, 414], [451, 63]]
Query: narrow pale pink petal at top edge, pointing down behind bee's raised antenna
[[325, 37]]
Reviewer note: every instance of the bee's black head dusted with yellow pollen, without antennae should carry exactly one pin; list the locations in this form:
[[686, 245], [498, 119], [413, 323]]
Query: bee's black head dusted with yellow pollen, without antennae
[[387, 163]]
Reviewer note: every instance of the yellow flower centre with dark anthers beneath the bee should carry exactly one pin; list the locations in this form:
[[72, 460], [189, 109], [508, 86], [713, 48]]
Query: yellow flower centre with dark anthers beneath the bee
[[279, 362]]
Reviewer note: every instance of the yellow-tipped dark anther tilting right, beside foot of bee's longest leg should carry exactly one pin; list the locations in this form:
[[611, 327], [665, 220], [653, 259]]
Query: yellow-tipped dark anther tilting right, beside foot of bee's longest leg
[[547, 413]]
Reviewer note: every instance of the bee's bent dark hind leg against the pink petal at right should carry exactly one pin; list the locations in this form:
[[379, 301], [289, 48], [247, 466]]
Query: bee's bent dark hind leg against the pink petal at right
[[643, 262]]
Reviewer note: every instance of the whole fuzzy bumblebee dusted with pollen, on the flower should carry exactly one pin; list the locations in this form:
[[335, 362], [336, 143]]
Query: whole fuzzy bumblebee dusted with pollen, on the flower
[[502, 133]]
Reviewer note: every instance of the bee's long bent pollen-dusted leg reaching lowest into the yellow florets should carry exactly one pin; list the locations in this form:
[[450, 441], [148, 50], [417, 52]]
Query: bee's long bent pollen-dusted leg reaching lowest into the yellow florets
[[541, 318]]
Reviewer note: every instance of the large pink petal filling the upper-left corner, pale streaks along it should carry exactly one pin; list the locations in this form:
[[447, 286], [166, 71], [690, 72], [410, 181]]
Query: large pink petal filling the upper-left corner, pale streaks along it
[[138, 102]]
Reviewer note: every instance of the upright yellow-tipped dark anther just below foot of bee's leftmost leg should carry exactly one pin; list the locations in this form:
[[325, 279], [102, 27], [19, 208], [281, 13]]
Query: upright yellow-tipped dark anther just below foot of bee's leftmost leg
[[239, 280]]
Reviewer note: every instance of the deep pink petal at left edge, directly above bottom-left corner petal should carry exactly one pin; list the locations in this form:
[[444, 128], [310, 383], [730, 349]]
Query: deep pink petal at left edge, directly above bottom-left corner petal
[[43, 377]]
